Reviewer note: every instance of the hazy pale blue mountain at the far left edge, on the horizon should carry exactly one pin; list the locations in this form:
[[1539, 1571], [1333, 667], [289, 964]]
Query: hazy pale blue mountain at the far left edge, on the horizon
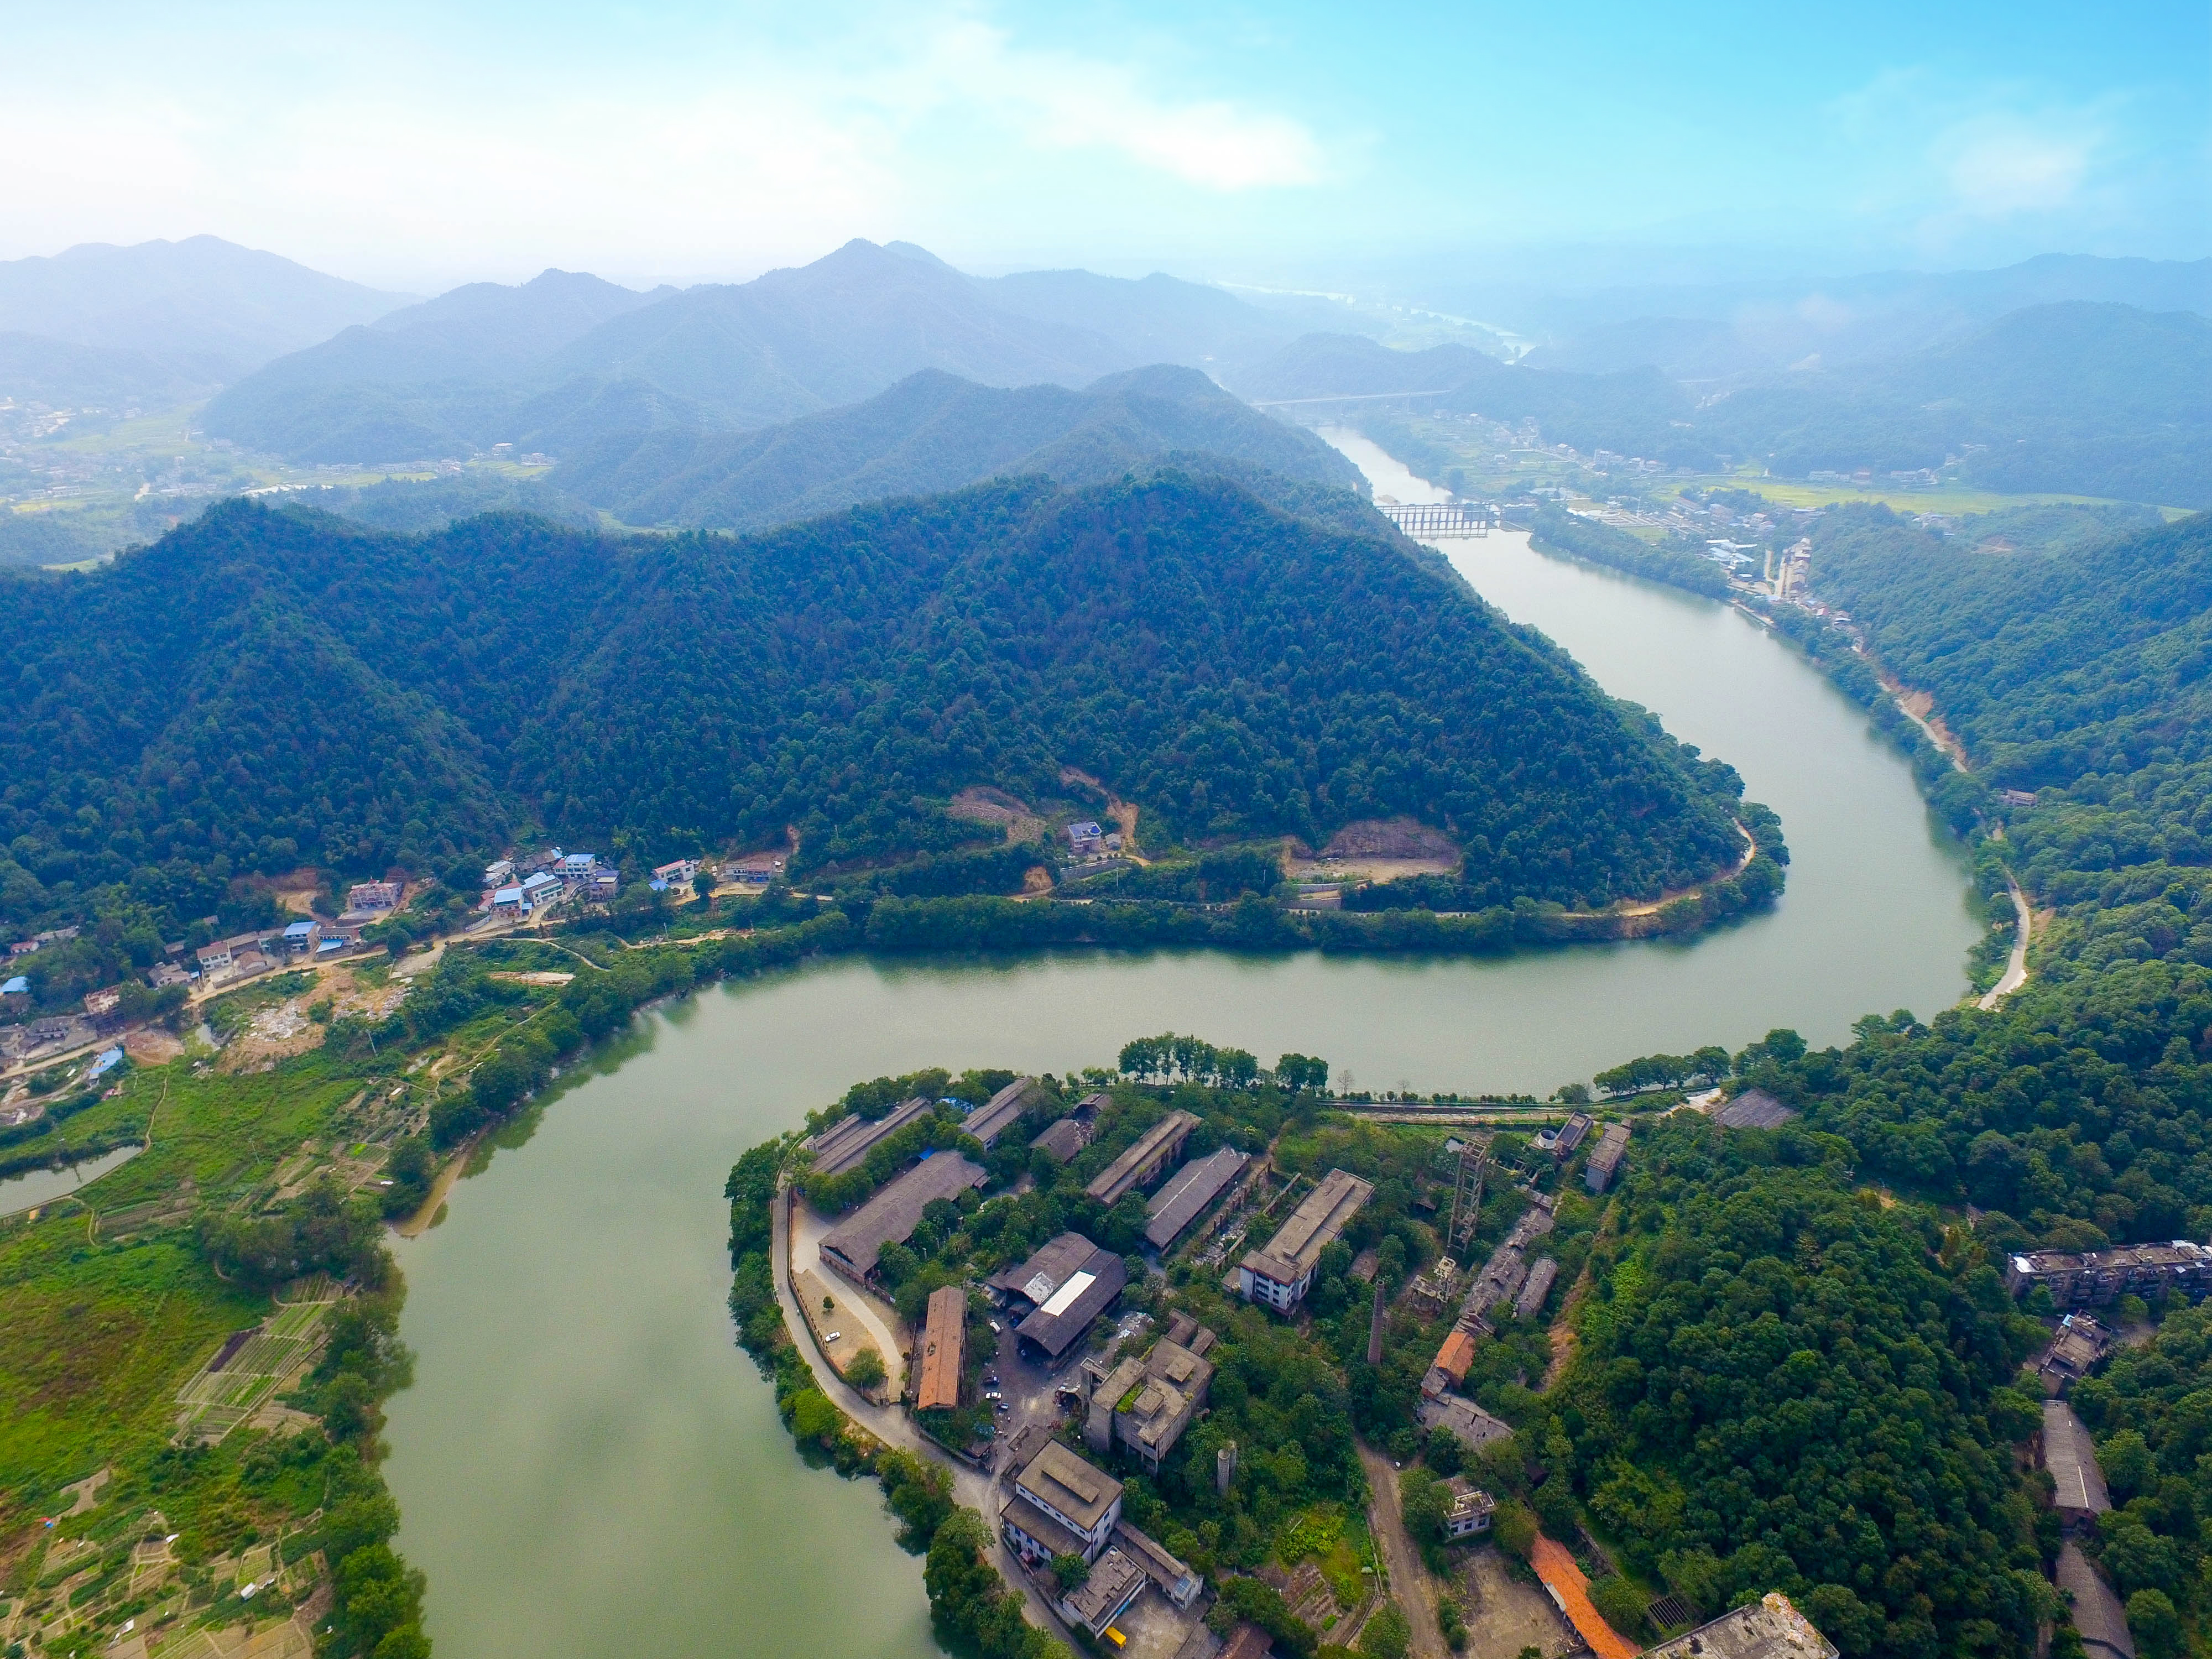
[[200, 298]]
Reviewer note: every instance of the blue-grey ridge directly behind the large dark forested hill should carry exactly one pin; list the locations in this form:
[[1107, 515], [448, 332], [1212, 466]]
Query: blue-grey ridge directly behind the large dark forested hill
[[937, 432]]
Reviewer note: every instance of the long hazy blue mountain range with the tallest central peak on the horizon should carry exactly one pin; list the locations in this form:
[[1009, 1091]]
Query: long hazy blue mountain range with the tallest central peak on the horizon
[[567, 359]]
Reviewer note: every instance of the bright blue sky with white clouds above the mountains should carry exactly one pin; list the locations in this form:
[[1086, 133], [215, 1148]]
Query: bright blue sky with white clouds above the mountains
[[1280, 145]]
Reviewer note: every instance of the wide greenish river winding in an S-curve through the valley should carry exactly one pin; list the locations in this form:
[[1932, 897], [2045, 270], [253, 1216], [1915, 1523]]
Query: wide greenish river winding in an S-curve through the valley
[[587, 1465]]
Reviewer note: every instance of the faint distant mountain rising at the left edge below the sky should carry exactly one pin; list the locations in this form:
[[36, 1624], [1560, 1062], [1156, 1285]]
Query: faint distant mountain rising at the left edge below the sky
[[165, 320]]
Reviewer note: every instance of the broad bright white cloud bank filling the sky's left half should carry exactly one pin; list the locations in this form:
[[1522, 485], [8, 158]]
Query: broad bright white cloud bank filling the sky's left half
[[455, 160]]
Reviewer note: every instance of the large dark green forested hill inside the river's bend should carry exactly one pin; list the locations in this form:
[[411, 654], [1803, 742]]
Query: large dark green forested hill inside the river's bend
[[273, 687]]
